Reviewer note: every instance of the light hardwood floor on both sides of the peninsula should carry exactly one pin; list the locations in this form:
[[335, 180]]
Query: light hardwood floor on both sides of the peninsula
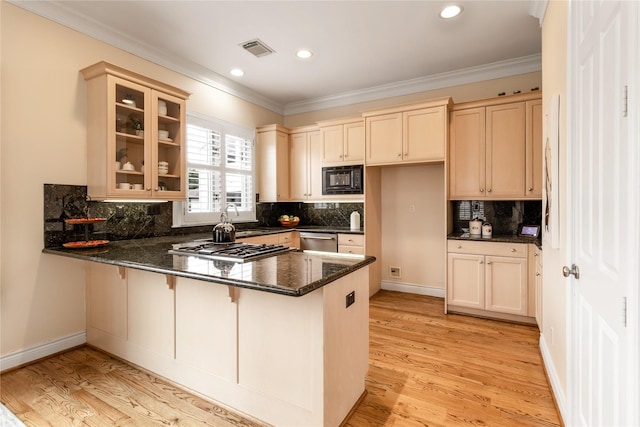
[[426, 369]]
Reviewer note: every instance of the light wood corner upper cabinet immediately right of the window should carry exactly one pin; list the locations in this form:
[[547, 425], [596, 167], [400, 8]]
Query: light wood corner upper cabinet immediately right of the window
[[272, 165]]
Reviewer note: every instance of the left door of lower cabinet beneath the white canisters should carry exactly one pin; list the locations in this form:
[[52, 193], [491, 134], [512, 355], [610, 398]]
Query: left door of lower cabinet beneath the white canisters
[[465, 280]]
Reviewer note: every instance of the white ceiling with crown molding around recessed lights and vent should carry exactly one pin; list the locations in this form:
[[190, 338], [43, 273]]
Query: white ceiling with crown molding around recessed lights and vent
[[363, 50]]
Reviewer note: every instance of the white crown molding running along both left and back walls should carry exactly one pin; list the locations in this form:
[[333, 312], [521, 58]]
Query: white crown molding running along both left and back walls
[[58, 12]]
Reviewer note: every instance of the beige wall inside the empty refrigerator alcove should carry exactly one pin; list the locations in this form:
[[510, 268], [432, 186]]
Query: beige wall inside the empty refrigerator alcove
[[413, 225]]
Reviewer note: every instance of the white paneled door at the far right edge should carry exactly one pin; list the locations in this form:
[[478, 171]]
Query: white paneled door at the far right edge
[[604, 195]]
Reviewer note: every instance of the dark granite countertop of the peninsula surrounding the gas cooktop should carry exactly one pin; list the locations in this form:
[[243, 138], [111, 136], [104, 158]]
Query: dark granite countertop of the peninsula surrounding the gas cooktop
[[293, 273]]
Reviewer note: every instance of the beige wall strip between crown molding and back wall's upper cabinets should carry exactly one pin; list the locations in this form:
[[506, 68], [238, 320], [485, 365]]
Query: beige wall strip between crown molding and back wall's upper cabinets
[[461, 93]]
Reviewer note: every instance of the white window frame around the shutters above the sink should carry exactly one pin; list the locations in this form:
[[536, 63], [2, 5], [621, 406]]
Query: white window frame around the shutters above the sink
[[182, 218]]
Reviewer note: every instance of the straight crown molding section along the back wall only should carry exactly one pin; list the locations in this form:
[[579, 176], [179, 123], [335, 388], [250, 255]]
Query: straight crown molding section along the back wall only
[[495, 70]]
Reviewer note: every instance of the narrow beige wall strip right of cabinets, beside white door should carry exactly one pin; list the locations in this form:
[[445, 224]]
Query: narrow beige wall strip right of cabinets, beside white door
[[555, 289]]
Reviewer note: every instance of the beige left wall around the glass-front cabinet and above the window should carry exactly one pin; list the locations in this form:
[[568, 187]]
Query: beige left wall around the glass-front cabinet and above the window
[[43, 134]]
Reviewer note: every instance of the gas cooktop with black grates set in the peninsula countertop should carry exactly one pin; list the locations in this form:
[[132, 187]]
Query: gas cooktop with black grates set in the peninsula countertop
[[237, 251]]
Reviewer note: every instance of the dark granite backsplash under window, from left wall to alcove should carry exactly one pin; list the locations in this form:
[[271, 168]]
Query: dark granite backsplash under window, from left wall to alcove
[[137, 220]]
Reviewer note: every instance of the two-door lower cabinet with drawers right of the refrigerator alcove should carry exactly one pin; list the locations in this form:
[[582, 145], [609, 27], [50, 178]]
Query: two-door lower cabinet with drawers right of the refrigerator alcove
[[488, 276]]
